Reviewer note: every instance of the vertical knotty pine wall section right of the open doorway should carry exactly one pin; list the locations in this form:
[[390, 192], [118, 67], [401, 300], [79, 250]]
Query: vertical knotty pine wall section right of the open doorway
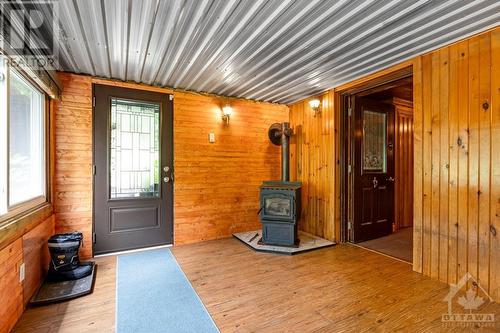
[[458, 139]]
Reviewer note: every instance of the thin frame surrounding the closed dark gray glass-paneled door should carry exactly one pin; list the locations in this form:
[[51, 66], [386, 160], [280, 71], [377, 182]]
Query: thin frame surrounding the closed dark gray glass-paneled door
[[170, 124]]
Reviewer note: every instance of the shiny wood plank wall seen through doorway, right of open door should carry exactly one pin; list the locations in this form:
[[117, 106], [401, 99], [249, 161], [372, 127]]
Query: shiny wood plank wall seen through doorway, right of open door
[[404, 163]]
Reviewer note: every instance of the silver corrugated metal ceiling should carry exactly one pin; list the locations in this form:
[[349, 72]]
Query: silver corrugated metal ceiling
[[278, 51]]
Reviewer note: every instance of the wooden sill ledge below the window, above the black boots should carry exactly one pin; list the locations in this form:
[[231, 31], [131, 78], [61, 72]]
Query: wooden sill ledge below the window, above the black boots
[[16, 226]]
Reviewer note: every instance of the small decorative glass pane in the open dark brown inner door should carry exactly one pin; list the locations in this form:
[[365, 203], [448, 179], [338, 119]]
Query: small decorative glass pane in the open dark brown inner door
[[374, 141]]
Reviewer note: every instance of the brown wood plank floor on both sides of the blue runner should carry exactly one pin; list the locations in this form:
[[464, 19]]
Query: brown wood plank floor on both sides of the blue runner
[[340, 289]]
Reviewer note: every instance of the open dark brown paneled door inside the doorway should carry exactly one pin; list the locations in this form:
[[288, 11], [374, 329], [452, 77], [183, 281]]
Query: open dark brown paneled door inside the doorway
[[373, 174]]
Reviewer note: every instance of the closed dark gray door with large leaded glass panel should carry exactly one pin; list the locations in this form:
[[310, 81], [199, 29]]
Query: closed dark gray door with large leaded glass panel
[[133, 192]]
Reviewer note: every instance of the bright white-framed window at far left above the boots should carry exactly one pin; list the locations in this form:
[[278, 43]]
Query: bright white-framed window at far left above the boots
[[23, 144]]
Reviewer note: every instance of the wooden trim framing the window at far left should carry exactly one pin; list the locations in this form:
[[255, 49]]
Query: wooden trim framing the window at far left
[[21, 210]]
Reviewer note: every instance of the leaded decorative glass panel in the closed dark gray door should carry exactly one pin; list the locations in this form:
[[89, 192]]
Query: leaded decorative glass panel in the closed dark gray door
[[134, 149]]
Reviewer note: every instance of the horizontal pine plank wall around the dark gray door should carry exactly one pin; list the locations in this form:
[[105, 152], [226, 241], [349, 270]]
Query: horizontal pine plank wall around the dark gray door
[[216, 185]]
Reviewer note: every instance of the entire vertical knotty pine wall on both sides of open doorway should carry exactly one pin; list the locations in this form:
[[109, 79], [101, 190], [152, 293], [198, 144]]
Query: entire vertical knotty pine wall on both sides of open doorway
[[456, 161]]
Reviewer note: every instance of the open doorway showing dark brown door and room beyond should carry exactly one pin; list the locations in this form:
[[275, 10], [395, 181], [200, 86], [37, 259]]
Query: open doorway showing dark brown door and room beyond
[[377, 196]]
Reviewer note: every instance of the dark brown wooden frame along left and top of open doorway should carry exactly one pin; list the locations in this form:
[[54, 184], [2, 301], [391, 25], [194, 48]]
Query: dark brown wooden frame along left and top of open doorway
[[346, 137]]
